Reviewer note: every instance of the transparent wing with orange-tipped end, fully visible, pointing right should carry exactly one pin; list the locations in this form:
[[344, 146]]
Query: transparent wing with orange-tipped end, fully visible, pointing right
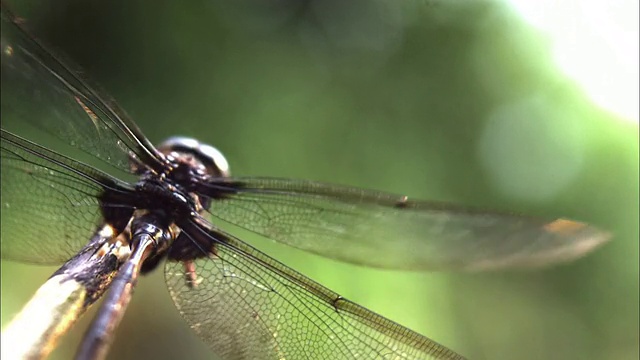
[[391, 231]]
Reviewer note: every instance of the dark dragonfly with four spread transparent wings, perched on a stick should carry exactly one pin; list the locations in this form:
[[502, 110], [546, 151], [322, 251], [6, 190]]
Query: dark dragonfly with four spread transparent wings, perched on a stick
[[167, 203]]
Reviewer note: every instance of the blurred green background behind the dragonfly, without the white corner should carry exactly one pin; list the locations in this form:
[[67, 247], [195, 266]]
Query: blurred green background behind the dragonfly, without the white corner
[[450, 101]]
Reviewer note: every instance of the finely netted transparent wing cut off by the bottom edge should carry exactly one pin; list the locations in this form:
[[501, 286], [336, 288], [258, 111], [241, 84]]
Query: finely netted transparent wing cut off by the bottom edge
[[247, 305]]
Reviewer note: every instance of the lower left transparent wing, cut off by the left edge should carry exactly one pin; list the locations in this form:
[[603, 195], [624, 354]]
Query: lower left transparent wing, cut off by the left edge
[[50, 203]]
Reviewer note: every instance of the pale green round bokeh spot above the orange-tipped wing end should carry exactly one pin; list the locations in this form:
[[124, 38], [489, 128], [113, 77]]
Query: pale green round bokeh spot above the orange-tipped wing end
[[531, 149]]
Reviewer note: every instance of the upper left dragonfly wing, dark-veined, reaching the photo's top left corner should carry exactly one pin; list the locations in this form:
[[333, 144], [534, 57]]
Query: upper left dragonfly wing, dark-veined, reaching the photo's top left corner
[[43, 95]]
